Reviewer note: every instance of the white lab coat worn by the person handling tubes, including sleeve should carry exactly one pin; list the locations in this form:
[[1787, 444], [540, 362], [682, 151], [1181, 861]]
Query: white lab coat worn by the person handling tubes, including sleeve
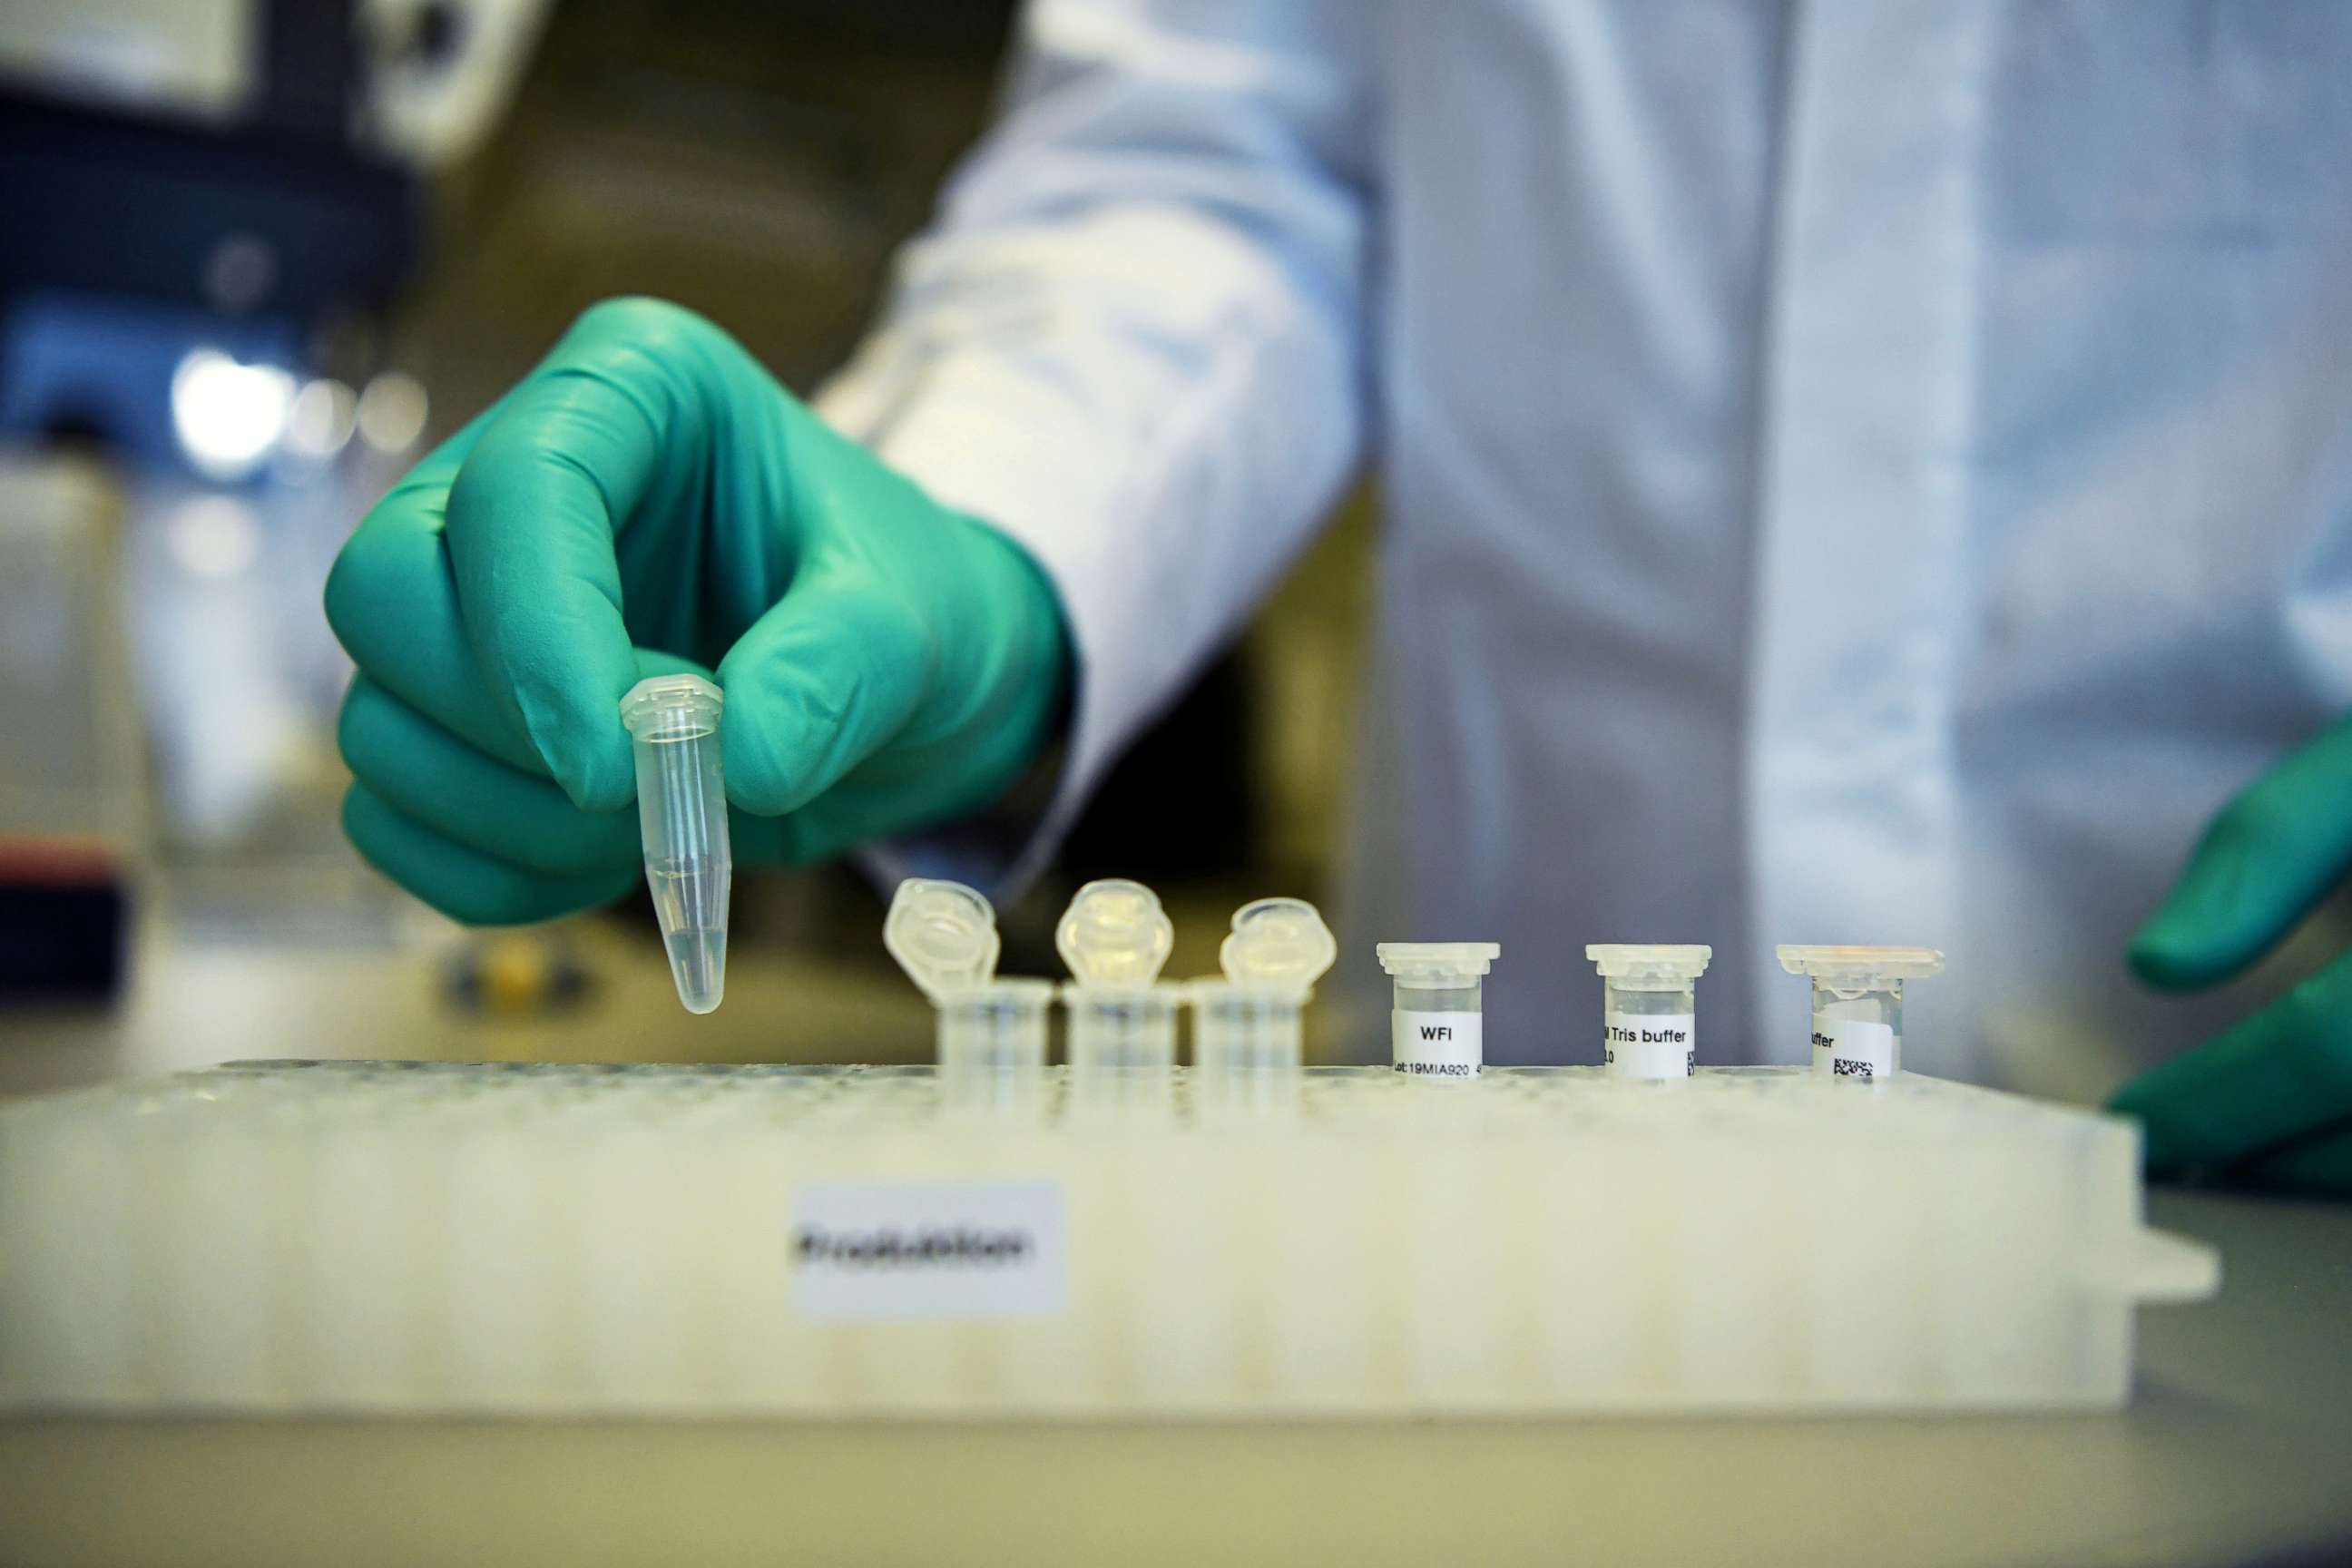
[[1855, 474]]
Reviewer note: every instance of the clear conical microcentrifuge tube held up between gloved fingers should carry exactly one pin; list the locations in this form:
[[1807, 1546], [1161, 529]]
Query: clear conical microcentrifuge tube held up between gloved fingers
[[683, 817]]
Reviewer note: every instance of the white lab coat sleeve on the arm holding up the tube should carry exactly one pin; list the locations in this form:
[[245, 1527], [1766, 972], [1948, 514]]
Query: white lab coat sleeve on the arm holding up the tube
[[1135, 342]]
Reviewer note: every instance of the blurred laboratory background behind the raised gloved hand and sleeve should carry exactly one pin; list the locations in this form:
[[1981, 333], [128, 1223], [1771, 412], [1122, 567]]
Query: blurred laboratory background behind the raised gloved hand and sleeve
[[260, 255]]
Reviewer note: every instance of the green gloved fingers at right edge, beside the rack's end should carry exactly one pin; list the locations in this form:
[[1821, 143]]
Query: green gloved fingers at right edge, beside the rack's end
[[2271, 1099]]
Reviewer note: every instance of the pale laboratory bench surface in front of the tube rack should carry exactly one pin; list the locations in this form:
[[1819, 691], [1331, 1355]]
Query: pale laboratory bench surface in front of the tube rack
[[2238, 1447]]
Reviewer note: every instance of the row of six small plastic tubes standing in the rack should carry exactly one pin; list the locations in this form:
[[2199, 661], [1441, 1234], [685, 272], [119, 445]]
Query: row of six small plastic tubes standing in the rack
[[1123, 1017]]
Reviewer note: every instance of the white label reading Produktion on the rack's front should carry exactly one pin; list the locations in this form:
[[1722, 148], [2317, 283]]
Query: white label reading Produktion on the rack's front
[[930, 1252]]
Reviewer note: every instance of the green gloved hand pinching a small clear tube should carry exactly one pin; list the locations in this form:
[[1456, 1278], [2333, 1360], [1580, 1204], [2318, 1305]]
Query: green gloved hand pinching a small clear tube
[[648, 502]]
